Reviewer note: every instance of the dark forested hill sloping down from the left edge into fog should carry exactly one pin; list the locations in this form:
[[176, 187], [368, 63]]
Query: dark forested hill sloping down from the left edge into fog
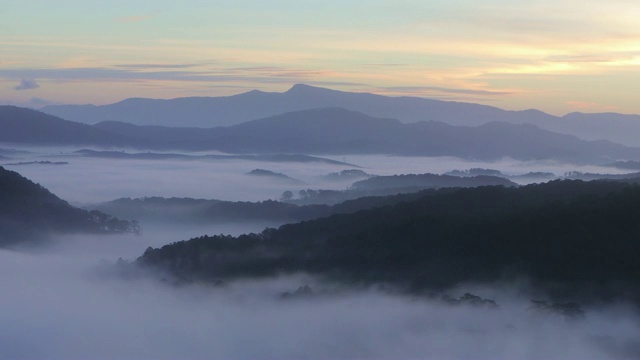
[[28, 211]]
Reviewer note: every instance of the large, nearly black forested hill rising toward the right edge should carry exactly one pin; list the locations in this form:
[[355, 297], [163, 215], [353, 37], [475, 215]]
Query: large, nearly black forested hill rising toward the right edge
[[573, 238]]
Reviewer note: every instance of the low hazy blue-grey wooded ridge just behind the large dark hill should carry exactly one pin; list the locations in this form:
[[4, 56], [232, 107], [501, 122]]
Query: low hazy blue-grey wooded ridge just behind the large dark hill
[[311, 203]]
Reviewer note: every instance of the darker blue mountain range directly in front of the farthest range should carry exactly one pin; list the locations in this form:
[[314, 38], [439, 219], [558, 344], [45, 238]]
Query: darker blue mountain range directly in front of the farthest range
[[334, 131]]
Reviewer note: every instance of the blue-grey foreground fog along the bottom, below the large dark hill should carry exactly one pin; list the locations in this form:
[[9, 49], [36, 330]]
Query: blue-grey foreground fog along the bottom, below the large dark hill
[[57, 304]]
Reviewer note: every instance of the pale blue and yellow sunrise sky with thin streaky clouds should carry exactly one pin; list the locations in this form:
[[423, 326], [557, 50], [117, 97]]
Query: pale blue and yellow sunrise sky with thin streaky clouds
[[556, 56]]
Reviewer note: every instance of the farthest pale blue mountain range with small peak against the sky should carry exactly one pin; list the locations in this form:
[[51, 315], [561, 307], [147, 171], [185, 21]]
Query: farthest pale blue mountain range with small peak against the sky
[[210, 112]]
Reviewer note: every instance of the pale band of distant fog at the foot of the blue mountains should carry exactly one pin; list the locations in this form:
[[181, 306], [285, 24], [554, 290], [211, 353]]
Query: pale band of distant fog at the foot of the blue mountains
[[91, 180]]
